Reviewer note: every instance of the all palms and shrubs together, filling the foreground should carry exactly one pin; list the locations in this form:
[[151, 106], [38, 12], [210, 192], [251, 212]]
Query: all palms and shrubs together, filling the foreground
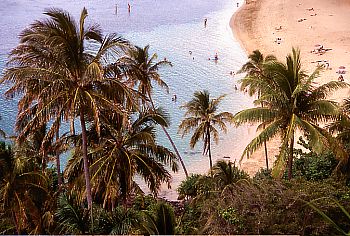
[[68, 72]]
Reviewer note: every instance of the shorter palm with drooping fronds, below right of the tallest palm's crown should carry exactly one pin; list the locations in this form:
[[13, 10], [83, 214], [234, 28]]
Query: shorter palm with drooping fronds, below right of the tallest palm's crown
[[121, 153]]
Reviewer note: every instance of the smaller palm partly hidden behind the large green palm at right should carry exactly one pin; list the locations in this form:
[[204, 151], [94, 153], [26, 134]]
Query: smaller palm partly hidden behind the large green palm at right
[[255, 68]]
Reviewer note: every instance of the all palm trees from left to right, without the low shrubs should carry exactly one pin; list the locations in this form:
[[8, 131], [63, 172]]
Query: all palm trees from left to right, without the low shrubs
[[68, 72]]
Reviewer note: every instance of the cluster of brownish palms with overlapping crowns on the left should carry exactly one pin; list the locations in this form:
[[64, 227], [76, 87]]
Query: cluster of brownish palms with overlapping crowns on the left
[[68, 72]]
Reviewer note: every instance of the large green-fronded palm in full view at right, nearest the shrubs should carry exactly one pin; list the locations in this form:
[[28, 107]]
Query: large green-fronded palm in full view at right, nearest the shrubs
[[291, 103]]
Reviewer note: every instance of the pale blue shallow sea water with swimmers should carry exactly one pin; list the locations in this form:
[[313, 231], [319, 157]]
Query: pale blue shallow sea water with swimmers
[[172, 28]]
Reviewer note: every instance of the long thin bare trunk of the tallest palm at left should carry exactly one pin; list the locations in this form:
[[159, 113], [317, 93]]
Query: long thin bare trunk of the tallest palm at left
[[85, 159]]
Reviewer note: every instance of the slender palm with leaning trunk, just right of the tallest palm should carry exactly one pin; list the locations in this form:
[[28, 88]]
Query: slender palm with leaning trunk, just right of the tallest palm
[[142, 69]]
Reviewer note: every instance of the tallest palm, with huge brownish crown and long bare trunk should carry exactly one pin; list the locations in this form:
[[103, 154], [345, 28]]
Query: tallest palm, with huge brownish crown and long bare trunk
[[59, 65]]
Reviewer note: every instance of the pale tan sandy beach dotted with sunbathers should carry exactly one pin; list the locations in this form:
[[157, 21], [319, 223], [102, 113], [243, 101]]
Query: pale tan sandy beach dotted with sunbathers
[[274, 27]]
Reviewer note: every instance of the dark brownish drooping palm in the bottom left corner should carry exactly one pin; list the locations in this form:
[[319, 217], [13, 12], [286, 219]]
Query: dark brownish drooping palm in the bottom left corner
[[25, 197]]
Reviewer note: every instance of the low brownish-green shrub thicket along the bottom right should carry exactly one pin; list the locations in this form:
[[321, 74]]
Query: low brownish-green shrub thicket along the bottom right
[[266, 206]]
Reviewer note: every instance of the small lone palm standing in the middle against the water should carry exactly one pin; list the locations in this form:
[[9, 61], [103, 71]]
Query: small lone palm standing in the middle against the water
[[202, 117]]
